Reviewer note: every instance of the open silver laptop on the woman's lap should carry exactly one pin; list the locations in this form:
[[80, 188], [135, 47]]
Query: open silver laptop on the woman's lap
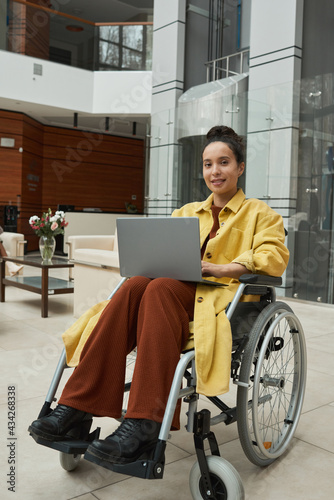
[[160, 247]]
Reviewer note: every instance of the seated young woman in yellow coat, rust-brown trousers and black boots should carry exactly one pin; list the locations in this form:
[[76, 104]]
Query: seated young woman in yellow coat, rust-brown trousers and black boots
[[238, 236]]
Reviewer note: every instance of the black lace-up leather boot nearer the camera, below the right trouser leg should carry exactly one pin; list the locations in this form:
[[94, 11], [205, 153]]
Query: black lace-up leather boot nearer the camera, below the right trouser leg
[[130, 441]]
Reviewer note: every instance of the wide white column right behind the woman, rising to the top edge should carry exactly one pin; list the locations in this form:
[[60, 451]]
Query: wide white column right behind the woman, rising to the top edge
[[273, 107]]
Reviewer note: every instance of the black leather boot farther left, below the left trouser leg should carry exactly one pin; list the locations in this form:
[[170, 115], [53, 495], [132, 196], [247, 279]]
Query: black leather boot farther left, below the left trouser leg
[[63, 422]]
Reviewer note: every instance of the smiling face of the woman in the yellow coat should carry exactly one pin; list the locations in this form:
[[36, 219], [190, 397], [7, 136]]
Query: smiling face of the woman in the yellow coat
[[221, 171]]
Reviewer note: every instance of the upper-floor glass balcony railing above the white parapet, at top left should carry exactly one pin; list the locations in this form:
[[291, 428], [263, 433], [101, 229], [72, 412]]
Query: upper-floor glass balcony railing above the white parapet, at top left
[[38, 31]]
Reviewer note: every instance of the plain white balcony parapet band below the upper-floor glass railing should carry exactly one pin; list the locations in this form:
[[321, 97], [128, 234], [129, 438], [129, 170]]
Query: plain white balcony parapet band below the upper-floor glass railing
[[73, 88]]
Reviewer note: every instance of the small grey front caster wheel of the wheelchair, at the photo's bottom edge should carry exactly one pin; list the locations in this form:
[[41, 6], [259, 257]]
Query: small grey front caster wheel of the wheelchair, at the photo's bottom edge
[[225, 480]]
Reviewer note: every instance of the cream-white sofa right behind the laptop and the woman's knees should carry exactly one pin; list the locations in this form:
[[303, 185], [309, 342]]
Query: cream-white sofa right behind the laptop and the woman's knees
[[96, 269]]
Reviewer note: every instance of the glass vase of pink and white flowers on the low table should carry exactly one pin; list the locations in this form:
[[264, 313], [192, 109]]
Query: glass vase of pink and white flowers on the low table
[[47, 227]]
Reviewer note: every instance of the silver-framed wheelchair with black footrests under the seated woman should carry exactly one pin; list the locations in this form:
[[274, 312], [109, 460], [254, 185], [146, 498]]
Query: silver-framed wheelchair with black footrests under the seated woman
[[269, 368]]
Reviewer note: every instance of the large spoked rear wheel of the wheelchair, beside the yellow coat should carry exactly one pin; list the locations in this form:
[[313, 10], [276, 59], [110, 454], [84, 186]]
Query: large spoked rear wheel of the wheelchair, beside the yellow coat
[[274, 369]]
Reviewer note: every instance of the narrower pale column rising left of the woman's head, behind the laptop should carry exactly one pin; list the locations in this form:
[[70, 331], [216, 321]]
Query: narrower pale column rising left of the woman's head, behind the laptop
[[167, 86]]
